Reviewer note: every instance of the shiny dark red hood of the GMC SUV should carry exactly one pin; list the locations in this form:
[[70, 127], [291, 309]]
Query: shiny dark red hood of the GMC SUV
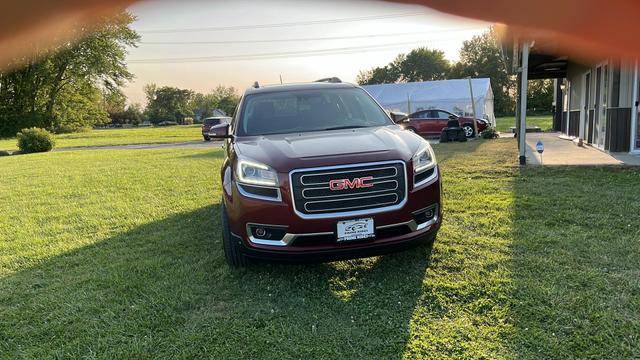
[[286, 152]]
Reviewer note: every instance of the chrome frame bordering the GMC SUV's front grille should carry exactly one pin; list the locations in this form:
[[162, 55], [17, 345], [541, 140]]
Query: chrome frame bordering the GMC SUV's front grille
[[354, 212]]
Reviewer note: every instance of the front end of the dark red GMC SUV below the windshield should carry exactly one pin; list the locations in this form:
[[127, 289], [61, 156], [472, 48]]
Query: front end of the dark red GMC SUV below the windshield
[[293, 213]]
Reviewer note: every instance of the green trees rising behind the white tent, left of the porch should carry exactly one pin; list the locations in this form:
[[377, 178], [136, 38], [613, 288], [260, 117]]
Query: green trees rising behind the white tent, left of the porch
[[479, 57]]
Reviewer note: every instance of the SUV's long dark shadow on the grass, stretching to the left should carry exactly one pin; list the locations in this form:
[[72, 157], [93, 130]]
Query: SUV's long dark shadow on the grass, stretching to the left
[[163, 289]]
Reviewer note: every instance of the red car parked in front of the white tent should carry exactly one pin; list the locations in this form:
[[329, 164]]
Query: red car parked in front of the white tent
[[429, 123]]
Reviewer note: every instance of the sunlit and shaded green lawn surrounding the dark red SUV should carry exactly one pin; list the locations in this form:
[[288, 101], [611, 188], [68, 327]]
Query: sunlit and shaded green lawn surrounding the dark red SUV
[[107, 254]]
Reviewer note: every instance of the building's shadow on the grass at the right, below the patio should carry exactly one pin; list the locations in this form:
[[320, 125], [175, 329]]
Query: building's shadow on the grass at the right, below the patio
[[576, 257]]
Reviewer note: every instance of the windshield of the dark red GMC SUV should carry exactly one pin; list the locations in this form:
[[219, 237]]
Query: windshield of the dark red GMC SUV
[[309, 110]]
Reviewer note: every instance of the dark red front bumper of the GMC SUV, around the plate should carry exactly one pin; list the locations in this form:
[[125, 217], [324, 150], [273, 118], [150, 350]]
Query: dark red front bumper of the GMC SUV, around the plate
[[314, 239]]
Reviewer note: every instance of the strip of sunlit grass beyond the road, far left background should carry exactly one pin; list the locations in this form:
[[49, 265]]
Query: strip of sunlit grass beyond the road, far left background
[[149, 135]]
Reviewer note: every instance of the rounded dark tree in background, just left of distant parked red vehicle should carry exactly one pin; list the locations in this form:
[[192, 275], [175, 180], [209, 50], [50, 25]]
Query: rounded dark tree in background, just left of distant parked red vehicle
[[167, 103]]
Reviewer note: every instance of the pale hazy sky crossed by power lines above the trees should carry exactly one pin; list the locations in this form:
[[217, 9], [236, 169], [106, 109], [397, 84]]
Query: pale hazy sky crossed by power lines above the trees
[[202, 44]]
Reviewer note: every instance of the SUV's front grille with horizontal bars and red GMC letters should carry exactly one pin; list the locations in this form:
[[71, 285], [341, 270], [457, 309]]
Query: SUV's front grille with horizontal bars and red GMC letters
[[313, 196]]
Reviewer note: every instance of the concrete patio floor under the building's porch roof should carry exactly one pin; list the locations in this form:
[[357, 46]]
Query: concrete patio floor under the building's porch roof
[[562, 151]]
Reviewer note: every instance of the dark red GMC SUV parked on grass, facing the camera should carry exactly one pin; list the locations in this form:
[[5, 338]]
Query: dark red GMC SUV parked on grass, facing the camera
[[320, 172]]
